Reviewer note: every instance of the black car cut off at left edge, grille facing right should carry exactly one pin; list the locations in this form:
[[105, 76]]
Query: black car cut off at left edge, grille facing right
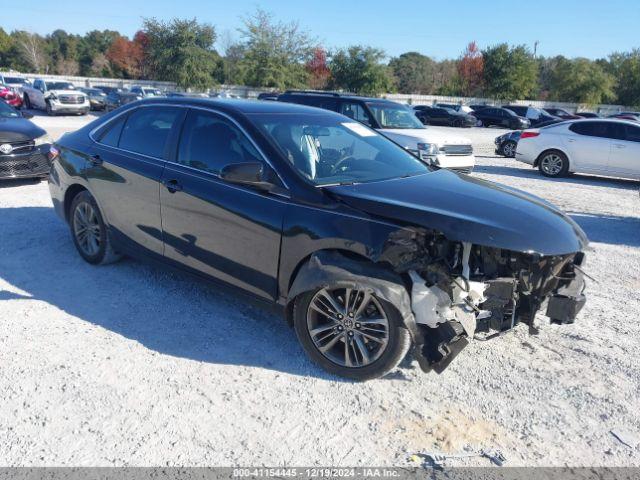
[[25, 148]]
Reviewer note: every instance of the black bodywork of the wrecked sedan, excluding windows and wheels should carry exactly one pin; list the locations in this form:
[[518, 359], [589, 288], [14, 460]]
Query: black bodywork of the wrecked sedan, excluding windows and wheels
[[257, 239]]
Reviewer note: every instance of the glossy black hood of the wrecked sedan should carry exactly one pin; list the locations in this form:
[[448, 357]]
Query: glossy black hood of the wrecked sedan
[[468, 209]]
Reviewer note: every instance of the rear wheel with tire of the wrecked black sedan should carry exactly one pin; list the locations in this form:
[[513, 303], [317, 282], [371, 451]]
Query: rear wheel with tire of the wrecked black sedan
[[89, 232]]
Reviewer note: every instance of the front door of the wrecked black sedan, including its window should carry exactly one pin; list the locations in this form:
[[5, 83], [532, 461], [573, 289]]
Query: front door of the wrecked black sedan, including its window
[[226, 231]]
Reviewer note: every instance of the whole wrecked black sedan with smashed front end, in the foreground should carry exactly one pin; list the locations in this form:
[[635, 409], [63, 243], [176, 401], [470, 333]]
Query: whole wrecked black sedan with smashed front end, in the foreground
[[322, 216]]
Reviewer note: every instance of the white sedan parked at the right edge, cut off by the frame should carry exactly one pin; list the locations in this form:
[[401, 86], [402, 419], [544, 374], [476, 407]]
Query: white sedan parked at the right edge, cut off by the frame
[[597, 146]]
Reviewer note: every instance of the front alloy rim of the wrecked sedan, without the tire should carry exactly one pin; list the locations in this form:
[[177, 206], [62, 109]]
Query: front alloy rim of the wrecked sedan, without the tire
[[348, 326]]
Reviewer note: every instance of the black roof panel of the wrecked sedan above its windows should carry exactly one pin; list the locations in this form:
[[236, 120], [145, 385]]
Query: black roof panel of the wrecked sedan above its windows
[[236, 105]]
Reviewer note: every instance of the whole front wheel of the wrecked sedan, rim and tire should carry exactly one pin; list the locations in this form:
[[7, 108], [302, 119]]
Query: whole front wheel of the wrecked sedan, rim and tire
[[350, 333]]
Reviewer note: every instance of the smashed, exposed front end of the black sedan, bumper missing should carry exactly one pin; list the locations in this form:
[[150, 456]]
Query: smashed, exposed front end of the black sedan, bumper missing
[[461, 291]]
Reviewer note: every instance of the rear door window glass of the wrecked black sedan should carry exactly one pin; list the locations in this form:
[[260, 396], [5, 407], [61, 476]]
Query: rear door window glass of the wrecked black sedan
[[147, 130]]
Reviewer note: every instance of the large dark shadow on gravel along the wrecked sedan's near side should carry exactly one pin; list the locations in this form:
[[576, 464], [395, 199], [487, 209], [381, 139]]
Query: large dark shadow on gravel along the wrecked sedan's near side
[[169, 312]]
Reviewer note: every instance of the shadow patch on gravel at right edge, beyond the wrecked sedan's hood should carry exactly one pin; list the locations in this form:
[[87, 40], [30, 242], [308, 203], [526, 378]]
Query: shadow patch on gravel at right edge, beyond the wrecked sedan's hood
[[610, 229]]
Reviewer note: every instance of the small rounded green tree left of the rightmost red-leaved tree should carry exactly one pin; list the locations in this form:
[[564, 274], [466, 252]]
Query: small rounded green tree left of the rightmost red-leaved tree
[[414, 73]]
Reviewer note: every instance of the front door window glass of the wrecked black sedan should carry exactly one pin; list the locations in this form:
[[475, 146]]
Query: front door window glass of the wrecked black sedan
[[209, 142]]
